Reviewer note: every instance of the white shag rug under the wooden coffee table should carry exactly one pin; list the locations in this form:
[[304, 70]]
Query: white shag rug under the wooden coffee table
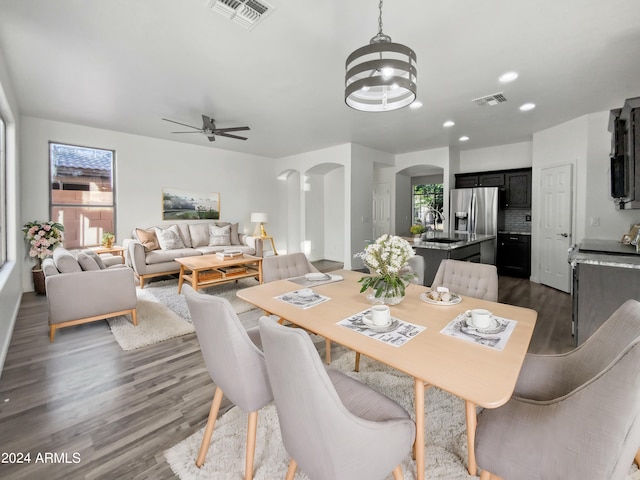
[[167, 292]]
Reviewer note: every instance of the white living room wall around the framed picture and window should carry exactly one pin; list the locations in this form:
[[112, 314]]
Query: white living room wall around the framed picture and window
[[144, 166]]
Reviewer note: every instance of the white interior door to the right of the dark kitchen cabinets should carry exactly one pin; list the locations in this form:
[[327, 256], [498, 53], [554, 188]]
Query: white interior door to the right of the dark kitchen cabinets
[[556, 196]]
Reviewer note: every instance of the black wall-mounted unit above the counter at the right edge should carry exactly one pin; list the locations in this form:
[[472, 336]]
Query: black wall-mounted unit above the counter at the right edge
[[624, 125]]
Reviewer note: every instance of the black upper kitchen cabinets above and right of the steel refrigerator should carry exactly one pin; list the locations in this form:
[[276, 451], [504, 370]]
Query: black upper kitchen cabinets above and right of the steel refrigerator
[[515, 185]]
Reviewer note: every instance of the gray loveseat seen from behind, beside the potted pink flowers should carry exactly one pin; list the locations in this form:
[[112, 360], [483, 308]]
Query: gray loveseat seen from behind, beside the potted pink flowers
[[83, 288]]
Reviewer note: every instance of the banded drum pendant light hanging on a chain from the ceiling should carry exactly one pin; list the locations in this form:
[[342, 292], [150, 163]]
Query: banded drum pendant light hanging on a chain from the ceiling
[[381, 76]]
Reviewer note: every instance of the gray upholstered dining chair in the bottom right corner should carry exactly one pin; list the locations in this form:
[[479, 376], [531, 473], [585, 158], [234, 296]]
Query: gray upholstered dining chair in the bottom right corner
[[573, 415]]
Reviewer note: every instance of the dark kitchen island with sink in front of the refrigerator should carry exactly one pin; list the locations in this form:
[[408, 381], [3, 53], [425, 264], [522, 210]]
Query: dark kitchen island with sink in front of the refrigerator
[[470, 248]]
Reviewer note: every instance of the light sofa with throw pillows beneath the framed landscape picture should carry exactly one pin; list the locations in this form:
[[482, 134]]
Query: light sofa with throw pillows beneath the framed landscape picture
[[151, 252]]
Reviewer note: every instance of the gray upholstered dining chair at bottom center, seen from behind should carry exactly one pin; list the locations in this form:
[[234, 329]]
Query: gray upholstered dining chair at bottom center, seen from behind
[[333, 426]]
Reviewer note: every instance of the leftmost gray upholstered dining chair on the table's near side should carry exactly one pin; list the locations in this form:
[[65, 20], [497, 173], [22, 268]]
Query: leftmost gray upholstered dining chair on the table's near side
[[235, 363]]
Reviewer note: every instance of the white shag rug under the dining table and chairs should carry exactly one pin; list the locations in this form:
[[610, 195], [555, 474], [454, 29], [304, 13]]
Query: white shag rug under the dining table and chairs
[[446, 448]]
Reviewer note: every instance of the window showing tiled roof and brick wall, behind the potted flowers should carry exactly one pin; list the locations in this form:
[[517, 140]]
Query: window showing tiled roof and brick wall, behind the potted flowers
[[82, 192]]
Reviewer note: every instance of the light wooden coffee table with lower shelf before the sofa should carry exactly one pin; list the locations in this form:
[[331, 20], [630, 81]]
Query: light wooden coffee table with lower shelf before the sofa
[[207, 270]]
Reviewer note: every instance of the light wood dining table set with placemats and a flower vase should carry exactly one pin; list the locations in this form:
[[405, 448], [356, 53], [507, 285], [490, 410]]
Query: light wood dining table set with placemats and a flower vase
[[480, 375]]
